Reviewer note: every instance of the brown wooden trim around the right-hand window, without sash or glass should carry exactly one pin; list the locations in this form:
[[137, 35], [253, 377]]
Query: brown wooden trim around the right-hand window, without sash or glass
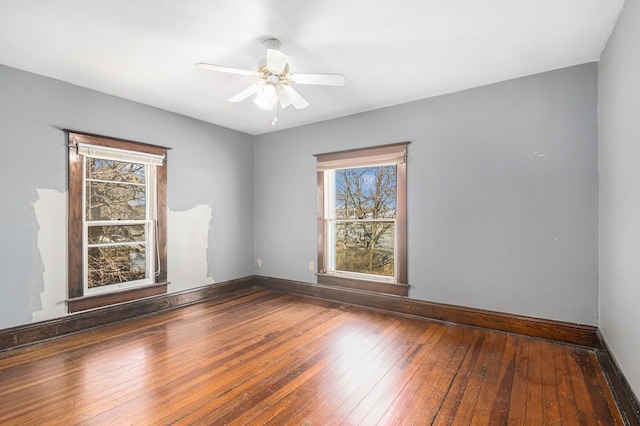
[[383, 154]]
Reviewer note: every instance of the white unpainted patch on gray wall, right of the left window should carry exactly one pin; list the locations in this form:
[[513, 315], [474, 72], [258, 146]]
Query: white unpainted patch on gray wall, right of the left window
[[187, 243]]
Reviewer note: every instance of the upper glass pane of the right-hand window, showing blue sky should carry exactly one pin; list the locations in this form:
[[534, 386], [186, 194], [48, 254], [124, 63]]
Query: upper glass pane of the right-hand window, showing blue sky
[[365, 193]]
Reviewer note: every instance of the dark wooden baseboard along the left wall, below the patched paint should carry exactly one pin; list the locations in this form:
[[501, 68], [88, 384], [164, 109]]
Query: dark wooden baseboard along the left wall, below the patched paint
[[23, 335]]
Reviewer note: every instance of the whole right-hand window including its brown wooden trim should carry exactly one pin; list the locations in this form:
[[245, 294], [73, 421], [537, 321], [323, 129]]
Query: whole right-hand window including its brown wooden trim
[[362, 218]]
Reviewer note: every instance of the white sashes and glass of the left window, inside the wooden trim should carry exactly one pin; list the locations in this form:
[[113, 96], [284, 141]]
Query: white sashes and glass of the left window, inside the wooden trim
[[118, 225]]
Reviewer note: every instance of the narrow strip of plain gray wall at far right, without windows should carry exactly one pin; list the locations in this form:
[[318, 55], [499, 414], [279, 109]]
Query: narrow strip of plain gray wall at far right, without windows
[[619, 167]]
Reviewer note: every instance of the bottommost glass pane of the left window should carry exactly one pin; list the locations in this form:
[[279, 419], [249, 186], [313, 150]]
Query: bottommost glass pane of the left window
[[116, 264]]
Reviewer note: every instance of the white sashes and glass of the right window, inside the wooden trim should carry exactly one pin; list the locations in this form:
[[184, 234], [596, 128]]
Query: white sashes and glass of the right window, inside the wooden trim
[[361, 221]]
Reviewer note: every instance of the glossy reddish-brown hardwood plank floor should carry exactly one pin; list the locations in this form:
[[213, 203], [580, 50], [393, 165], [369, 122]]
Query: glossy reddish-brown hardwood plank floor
[[260, 357]]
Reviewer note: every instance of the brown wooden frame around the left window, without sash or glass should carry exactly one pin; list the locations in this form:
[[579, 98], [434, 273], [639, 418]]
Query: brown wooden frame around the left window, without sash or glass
[[77, 300]]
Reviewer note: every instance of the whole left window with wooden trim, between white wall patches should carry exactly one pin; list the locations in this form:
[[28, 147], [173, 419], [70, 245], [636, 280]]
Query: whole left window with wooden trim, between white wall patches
[[117, 232]]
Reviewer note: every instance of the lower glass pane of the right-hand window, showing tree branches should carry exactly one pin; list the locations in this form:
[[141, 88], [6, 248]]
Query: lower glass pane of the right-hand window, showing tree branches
[[365, 247]]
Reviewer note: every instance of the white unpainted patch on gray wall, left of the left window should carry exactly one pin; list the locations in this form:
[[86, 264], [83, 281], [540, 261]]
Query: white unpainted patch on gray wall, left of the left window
[[51, 213]]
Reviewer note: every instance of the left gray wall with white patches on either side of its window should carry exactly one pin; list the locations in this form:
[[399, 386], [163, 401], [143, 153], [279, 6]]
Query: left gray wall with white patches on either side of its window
[[210, 172]]
